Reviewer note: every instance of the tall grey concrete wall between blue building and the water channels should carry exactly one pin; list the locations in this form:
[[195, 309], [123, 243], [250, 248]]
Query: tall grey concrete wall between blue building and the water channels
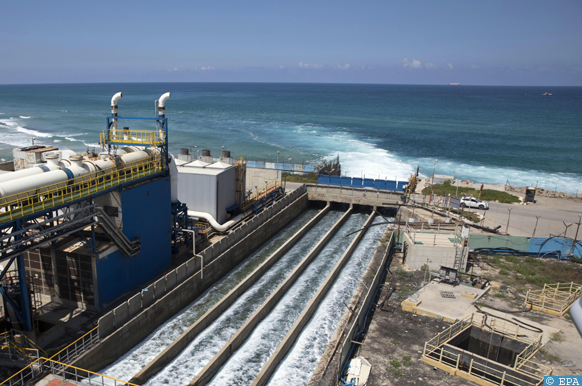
[[119, 334]]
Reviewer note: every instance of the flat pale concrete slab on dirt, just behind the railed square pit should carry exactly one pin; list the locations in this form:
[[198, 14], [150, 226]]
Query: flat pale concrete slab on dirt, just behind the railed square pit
[[429, 301]]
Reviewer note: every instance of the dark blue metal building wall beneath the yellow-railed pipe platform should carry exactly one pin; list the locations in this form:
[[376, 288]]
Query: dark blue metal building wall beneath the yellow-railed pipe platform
[[146, 211]]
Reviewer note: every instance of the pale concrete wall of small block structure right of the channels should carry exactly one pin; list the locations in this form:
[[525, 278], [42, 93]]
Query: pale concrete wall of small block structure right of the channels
[[417, 255]]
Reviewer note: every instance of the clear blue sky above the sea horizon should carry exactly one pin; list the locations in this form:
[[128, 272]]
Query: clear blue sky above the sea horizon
[[397, 42]]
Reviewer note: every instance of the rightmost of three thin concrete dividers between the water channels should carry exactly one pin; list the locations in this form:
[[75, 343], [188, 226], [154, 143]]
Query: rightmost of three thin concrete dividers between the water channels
[[283, 348]]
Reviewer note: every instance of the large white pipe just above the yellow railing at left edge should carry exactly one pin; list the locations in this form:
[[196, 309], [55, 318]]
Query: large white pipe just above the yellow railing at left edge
[[25, 184]]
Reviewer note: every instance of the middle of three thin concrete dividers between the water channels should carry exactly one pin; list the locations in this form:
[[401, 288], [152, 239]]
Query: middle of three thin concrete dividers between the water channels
[[242, 334]]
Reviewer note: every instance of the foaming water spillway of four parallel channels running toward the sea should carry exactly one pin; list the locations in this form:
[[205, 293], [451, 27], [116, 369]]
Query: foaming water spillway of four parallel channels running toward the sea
[[315, 243]]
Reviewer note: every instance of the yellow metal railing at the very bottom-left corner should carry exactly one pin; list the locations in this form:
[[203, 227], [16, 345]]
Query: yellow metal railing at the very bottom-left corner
[[44, 366]]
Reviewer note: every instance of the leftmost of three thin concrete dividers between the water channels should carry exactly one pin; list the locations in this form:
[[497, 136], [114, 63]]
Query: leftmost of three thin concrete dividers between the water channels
[[166, 356]]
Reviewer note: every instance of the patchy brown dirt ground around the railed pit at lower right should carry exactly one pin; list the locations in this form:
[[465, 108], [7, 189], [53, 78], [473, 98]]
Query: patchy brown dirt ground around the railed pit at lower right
[[395, 339]]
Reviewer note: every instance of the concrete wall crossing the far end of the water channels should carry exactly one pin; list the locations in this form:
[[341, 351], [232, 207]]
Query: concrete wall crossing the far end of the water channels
[[353, 196]]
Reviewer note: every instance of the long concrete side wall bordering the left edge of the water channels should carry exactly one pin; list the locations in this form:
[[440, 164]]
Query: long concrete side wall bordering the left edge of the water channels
[[122, 338]]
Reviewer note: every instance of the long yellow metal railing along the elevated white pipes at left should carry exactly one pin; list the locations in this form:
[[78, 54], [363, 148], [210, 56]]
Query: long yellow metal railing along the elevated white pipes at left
[[46, 197]]
